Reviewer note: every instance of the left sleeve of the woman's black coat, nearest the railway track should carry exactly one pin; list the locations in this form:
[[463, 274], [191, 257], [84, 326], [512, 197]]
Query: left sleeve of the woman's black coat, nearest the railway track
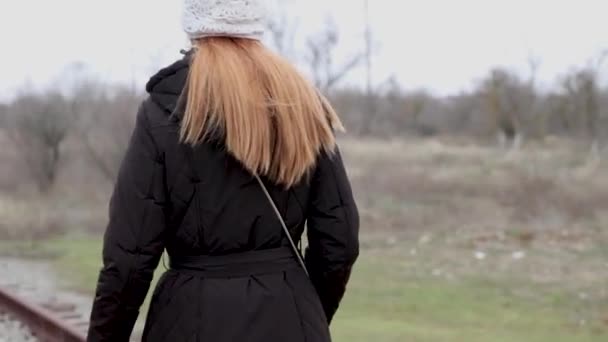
[[133, 242]]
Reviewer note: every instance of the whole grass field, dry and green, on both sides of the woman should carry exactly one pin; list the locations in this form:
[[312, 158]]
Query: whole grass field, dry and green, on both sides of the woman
[[461, 242]]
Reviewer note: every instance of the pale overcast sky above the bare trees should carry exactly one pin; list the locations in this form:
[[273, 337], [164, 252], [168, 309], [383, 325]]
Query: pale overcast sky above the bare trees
[[441, 45]]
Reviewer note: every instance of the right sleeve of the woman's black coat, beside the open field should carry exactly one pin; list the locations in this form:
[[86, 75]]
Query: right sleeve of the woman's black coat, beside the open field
[[333, 232]]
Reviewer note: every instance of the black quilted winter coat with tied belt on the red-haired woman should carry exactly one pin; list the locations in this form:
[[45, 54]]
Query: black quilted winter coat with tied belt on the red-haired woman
[[200, 204]]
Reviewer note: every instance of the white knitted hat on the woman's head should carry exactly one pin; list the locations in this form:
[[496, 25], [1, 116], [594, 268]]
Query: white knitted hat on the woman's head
[[230, 18]]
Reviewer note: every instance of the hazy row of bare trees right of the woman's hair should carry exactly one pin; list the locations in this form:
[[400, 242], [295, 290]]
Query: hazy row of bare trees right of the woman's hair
[[503, 105]]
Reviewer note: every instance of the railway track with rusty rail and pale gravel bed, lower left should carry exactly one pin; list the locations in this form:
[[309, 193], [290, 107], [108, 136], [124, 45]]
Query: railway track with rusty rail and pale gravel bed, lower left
[[34, 303]]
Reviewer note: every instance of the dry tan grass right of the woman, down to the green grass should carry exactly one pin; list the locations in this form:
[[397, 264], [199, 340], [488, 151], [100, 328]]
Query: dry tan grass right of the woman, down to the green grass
[[539, 214]]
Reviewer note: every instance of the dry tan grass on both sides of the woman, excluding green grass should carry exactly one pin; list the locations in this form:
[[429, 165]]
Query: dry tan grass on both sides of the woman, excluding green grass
[[549, 200]]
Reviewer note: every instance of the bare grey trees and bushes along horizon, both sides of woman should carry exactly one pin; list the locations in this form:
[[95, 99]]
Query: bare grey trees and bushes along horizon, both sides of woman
[[504, 105]]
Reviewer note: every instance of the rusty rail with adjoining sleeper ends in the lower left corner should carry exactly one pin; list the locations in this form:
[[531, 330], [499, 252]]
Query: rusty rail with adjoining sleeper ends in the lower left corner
[[48, 321]]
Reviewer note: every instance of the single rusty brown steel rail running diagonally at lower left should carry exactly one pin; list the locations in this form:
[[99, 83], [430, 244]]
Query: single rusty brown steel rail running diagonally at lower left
[[46, 326]]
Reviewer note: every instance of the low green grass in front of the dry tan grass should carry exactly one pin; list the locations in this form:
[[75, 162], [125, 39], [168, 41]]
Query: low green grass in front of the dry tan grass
[[385, 303]]
